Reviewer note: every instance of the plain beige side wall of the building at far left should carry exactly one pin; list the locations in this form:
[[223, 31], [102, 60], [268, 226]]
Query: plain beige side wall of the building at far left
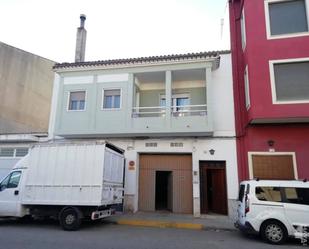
[[25, 91]]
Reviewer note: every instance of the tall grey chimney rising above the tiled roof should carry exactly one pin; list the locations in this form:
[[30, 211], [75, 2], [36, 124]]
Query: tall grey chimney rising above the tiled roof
[[81, 40]]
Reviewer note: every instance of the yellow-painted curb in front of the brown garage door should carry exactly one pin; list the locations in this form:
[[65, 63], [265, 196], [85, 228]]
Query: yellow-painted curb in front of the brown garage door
[[168, 224]]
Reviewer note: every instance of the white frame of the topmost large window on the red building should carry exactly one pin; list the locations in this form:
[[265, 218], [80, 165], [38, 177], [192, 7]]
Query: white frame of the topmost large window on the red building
[[267, 19]]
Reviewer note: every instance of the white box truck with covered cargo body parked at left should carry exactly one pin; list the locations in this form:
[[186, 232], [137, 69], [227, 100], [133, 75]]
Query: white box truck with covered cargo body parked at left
[[66, 181]]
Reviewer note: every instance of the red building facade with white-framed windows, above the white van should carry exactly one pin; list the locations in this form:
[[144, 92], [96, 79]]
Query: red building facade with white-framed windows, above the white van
[[270, 54]]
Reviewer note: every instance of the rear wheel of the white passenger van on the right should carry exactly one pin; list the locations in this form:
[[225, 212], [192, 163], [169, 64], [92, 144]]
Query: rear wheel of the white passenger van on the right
[[274, 232]]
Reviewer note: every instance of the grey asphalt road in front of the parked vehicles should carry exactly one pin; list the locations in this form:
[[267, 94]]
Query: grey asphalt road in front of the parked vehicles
[[48, 235]]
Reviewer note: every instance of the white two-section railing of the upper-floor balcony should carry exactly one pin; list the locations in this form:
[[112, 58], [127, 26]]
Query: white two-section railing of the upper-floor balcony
[[176, 111]]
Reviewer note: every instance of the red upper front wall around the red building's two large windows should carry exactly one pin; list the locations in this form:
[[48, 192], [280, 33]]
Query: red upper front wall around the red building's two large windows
[[259, 51]]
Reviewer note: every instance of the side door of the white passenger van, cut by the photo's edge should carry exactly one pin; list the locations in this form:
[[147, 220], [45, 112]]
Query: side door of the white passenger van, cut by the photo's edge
[[296, 206]]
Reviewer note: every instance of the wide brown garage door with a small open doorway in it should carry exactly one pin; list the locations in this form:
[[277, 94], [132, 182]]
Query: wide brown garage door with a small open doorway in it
[[178, 169]]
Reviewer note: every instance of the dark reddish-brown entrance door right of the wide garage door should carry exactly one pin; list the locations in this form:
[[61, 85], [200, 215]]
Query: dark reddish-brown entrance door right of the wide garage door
[[213, 187]]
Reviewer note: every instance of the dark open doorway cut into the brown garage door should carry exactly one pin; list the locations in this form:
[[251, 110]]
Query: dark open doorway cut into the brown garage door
[[164, 190]]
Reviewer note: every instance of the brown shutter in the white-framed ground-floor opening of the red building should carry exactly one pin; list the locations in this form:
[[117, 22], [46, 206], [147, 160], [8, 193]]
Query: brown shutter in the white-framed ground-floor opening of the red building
[[276, 167]]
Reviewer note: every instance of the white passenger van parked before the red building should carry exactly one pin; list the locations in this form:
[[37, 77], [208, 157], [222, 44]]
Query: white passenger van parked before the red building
[[274, 209]]
